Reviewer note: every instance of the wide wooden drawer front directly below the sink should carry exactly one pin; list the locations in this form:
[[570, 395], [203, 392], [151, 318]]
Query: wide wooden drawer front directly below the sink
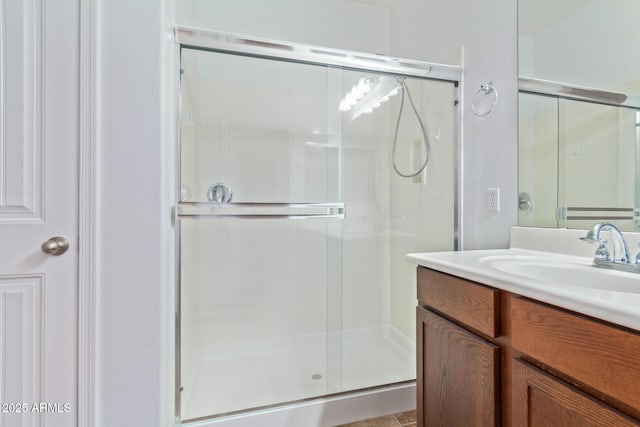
[[598, 355]]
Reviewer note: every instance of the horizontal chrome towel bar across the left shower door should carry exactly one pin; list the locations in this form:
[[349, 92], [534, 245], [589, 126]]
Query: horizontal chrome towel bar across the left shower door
[[259, 210]]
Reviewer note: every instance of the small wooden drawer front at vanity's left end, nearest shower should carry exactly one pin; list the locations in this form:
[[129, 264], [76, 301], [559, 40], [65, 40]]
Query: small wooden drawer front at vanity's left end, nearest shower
[[469, 303]]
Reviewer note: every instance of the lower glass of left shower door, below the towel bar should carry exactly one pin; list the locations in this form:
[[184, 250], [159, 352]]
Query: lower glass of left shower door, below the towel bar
[[255, 311]]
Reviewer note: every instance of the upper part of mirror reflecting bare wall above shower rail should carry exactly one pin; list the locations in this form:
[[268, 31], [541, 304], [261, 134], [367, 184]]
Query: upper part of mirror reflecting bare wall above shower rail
[[588, 43]]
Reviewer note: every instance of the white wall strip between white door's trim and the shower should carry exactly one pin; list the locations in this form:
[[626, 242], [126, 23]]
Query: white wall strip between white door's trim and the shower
[[134, 260]]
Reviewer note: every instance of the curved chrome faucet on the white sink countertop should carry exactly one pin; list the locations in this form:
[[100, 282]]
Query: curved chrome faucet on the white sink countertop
[[603, 258]]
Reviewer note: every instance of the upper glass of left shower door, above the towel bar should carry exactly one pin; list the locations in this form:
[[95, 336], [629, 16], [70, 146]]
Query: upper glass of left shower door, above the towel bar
[[267, 129]]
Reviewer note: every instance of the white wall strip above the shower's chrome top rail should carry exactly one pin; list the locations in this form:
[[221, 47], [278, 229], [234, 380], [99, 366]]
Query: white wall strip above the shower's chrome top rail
[[330, 23]]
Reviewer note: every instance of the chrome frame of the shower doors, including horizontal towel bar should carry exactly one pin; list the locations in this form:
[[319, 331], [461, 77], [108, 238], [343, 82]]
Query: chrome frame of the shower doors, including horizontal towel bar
[[191, 38]]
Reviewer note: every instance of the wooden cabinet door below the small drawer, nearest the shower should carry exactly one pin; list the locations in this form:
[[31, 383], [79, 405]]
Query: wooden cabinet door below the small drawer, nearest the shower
[[458, 375]]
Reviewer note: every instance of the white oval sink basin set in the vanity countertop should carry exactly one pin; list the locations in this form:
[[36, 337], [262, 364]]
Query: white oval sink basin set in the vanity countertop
[[564, 271]]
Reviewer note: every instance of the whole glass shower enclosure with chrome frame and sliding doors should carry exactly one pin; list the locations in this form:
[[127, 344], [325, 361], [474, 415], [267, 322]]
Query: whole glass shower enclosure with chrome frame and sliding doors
[[292, 223]]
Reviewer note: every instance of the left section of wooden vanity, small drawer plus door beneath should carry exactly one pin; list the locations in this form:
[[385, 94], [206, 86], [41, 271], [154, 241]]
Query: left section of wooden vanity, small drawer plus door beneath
[[458, 363]]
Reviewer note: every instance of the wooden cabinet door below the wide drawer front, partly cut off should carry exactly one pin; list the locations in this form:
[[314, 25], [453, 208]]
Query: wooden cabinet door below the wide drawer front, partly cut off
[[540, 399]]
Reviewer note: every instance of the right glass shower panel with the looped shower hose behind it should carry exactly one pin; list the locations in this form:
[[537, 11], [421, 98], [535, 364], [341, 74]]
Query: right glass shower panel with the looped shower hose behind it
[[390, 216]]
